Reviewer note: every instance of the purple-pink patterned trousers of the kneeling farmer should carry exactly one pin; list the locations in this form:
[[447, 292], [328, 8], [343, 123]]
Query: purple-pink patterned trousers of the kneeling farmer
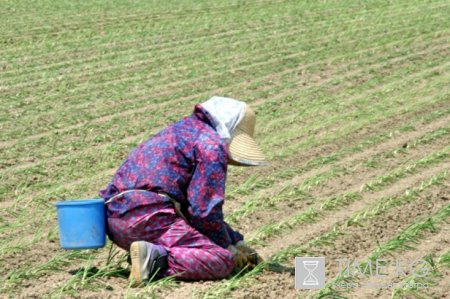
[[191, 255]]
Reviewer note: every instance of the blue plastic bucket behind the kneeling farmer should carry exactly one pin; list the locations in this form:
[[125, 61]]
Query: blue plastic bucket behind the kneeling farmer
[[81, 223]]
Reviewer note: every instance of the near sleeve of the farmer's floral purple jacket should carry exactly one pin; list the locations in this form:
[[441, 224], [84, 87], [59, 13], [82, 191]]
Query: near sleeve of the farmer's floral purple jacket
[[206, 194]]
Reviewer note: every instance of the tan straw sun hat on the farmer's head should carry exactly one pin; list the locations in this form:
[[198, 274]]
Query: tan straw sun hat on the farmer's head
[[243, 148]]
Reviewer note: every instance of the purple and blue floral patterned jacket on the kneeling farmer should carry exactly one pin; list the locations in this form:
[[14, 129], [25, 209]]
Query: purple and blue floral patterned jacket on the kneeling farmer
[[188, 162]]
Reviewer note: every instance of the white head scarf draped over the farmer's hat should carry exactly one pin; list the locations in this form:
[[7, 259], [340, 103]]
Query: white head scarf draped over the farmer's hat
[[226, 114]]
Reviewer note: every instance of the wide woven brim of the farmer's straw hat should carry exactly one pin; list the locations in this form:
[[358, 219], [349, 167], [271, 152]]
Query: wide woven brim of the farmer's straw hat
[[244, 150]]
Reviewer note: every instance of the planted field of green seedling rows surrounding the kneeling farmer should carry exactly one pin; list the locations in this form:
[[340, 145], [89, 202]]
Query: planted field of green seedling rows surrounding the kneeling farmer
[[353, 112]]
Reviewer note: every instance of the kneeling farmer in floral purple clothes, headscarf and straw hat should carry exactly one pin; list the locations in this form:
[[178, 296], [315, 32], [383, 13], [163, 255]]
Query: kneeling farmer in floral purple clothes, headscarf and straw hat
[[164, 203]]
